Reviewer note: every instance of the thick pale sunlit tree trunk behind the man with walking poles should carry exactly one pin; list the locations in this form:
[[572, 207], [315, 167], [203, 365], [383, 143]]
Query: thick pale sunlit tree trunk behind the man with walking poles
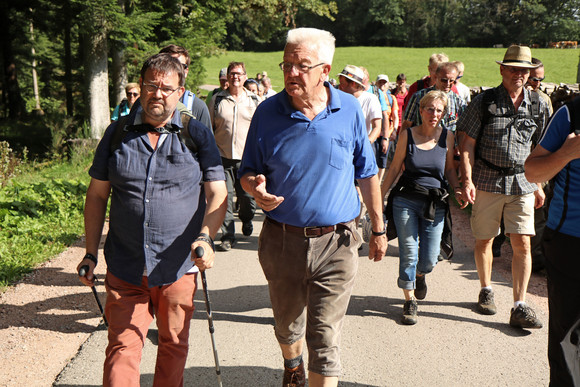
[[95, 63]]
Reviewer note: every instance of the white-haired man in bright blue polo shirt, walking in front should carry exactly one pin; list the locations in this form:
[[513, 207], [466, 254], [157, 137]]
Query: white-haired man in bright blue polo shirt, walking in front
[[304, 148]]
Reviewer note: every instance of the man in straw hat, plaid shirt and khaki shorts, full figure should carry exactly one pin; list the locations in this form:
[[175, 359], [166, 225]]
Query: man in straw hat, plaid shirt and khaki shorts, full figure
[[501, 125]]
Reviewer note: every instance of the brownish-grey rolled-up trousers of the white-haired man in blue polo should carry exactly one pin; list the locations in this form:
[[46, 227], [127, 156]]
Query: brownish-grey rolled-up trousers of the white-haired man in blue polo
[[310, 282]]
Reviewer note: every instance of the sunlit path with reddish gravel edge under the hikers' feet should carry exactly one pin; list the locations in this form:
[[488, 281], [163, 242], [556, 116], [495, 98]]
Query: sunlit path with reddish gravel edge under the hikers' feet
[[50, 328]]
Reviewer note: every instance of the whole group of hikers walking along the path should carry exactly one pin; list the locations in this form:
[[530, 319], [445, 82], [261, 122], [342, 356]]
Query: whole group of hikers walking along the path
[[172, 165]]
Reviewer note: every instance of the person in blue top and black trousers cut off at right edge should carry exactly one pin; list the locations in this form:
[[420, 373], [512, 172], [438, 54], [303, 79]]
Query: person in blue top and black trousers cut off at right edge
[[558, 157]]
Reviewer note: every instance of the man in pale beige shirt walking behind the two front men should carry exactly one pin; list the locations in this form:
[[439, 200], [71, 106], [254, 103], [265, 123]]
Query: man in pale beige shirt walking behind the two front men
[[231, 111]]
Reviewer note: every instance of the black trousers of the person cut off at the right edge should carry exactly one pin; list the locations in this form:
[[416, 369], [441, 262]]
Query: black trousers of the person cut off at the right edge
[[563, 268]]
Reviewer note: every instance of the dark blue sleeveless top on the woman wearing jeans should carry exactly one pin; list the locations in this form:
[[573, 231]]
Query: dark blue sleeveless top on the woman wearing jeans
[[426, 167]]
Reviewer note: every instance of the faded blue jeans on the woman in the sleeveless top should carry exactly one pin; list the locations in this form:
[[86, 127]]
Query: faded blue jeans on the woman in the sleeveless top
[[419, 239]]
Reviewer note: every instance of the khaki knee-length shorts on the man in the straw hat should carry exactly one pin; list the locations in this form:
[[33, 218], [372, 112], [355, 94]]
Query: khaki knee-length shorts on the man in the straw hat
[[517, 212]]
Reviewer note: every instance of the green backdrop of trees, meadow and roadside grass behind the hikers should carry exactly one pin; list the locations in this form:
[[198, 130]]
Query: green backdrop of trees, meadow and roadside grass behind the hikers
[[65, 64]]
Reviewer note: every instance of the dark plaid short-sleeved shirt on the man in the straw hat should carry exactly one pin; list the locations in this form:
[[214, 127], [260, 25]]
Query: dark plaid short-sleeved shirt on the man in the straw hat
[[506, 141]]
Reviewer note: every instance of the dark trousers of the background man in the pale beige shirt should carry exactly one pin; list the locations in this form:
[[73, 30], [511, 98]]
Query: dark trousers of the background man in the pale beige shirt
[[245, 200]]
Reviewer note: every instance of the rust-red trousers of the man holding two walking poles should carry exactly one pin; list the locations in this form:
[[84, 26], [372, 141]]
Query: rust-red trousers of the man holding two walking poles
[[130, 310]]
